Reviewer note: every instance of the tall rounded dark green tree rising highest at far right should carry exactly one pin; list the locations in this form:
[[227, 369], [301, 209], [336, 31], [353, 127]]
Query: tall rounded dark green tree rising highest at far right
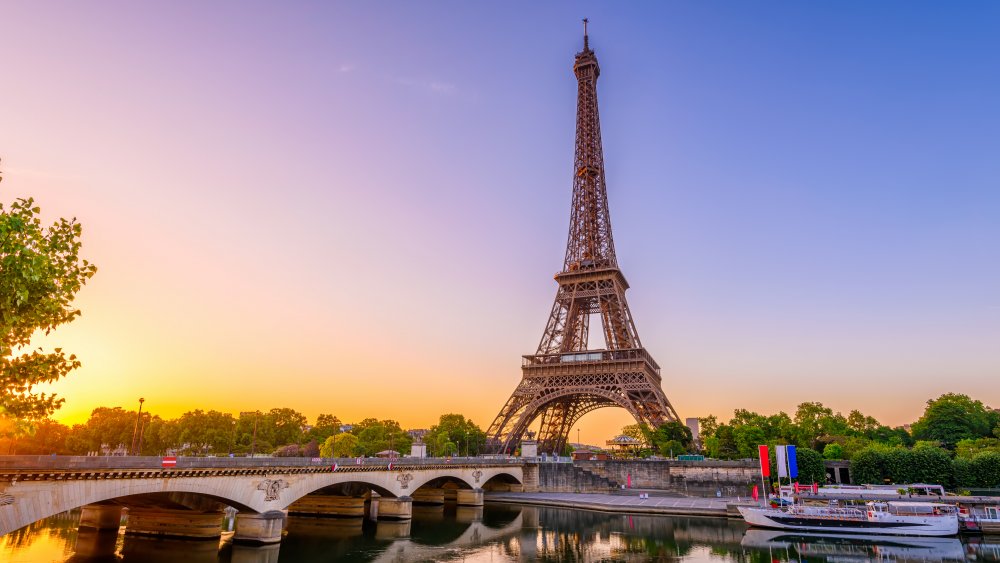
[[953, 417]]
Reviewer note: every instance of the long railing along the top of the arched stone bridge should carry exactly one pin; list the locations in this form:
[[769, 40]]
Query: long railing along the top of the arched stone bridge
[[59, 462]]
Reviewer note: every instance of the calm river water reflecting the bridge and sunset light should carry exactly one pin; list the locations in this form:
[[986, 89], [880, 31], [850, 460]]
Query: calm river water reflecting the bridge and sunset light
[[496, 533]]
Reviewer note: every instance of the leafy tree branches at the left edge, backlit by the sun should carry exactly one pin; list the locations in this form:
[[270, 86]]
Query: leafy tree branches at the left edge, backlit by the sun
[[40, 273]]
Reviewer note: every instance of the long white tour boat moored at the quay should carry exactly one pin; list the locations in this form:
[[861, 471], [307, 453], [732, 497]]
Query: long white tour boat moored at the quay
[[893, 518]]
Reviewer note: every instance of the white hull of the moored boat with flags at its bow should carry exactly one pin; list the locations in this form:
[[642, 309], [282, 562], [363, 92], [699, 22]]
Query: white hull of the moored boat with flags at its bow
[[881, 524]]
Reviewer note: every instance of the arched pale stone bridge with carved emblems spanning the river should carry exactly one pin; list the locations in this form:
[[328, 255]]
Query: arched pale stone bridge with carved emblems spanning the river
[[187, 500]]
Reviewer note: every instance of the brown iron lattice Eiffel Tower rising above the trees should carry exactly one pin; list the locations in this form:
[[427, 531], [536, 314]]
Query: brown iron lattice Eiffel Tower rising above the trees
[[565, 379]]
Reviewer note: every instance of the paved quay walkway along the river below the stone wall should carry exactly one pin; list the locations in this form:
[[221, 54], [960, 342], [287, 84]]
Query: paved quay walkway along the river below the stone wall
[[623, 503]]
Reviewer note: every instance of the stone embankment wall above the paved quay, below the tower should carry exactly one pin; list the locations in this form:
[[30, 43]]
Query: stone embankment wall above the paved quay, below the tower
[[696, 478]]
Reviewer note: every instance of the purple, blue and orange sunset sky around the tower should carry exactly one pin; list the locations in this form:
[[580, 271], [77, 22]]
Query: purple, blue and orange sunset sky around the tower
[[358, 208]]
